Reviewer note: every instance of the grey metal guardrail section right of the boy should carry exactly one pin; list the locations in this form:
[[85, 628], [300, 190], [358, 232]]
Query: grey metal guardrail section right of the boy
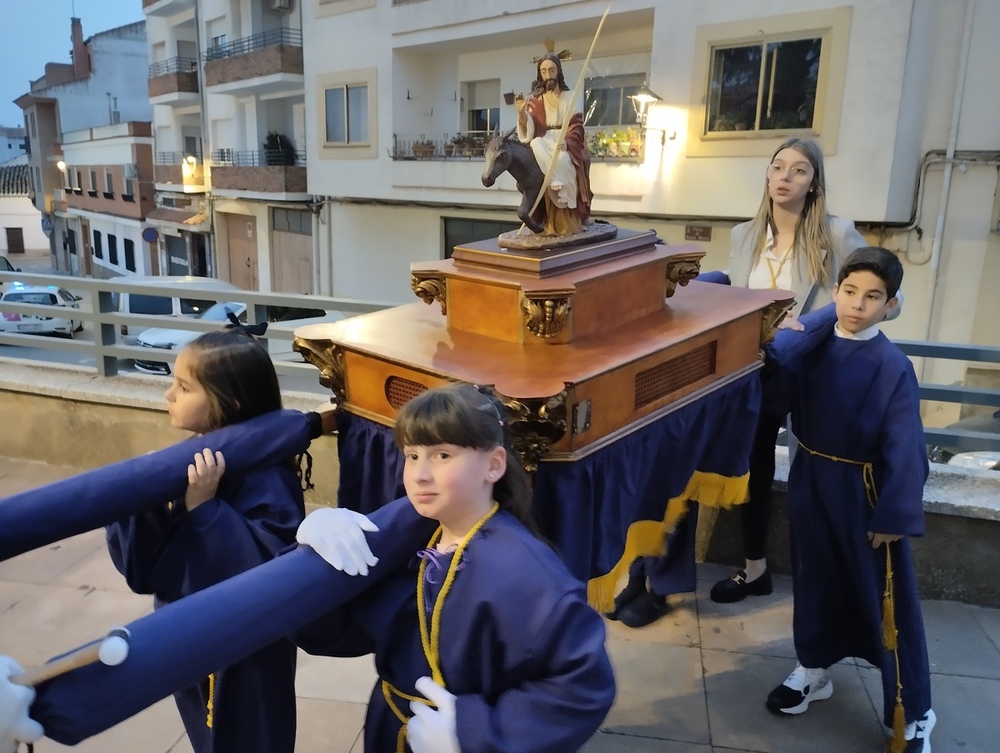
[[957, 438]]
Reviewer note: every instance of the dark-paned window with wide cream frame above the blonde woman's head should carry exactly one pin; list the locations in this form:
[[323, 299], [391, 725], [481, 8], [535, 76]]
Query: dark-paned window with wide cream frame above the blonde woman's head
[[758, 81]]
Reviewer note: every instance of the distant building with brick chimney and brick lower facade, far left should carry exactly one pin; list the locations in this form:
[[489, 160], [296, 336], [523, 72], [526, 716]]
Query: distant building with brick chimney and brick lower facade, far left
[[86, 123]]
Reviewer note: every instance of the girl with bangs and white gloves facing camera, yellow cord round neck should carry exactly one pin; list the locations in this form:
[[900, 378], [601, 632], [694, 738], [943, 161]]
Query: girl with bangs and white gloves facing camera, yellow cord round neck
[[486, 642]]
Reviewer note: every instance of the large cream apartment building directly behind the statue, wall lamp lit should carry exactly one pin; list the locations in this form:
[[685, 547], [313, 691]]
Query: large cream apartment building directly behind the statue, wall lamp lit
[[899, 94]]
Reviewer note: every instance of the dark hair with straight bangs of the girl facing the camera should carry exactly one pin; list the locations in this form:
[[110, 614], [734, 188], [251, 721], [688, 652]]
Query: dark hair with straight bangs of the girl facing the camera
[[468, 416]]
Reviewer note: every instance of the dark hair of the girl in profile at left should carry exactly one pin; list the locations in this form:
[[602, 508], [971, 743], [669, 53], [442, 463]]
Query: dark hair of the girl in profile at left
[[238, 375]]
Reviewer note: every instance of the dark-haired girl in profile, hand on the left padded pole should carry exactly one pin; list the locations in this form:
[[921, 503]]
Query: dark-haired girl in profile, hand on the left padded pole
[[222, 526]]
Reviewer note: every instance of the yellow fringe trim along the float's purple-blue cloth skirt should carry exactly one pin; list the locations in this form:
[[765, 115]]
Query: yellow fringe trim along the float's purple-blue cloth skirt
[[648, 538]]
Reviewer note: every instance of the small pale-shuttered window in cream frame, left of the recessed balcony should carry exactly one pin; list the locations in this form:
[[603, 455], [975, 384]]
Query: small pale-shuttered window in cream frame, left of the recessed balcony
[[348, 116]]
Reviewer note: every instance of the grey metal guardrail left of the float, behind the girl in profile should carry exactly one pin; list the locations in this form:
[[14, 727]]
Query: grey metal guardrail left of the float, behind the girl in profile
[[109, 346]]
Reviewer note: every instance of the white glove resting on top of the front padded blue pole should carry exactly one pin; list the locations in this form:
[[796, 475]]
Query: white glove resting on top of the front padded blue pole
[[337, 535]]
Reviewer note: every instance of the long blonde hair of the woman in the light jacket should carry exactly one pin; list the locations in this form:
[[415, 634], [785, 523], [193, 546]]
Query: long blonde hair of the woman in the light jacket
[[812, 230]]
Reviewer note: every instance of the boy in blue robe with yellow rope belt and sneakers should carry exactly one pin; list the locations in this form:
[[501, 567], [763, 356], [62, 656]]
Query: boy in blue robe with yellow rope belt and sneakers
[[855, 492]]
